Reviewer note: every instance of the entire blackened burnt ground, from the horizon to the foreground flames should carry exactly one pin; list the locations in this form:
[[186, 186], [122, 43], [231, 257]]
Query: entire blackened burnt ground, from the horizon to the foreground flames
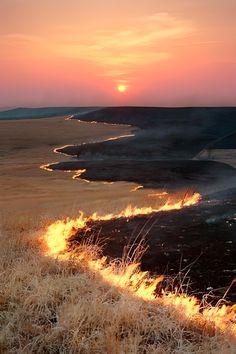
[[199, 242]]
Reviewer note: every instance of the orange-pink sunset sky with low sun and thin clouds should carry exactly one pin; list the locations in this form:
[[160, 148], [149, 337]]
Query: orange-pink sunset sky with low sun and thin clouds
[[126, 52]]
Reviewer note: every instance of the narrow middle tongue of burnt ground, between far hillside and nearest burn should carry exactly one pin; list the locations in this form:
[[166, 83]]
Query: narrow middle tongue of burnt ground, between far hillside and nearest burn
[[162, 174]]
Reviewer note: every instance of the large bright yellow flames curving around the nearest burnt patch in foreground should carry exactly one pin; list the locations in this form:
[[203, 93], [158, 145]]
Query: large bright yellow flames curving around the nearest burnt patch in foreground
[[129, 278]]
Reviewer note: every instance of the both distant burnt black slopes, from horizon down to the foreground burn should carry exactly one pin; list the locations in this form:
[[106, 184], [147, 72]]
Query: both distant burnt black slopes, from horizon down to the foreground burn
[[161, 152]]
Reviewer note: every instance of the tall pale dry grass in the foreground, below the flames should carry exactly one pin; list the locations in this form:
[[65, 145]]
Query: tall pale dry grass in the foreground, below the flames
[[50, 306]]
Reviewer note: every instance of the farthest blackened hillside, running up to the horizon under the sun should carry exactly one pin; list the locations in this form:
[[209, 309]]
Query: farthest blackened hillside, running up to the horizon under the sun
[[163, 134]]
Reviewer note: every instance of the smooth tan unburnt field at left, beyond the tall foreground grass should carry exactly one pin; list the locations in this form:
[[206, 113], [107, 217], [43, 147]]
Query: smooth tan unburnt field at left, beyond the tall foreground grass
[[27, 144]]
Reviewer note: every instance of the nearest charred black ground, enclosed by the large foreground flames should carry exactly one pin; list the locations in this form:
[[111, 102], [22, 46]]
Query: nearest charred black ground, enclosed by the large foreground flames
[[197, 242]]
